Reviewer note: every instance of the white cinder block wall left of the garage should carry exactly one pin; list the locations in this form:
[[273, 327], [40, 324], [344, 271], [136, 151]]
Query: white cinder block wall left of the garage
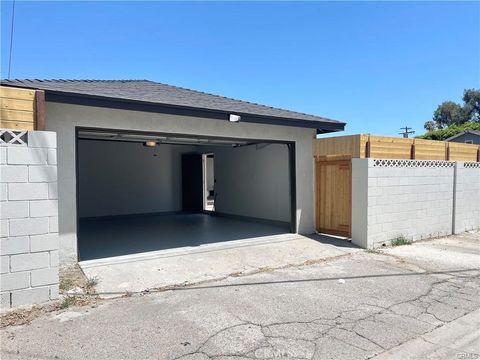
[[29, 219]]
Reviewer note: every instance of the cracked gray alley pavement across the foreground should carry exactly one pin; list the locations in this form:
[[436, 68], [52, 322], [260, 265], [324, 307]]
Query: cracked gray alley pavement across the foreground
[[408, 302]]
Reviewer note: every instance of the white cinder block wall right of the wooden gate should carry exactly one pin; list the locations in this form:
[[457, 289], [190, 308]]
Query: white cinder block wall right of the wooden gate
[[415, 199]]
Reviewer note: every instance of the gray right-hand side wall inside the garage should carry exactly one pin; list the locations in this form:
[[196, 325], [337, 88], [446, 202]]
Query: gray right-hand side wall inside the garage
[[253, 181]]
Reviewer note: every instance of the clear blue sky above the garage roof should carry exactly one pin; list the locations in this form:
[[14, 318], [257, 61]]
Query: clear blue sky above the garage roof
[[376, 65]]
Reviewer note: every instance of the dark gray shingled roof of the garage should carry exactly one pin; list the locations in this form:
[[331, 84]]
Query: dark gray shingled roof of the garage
[[151, 92]]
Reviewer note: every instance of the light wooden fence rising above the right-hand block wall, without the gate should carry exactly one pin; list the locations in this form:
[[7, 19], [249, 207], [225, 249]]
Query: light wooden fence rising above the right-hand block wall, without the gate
[[382, 147]]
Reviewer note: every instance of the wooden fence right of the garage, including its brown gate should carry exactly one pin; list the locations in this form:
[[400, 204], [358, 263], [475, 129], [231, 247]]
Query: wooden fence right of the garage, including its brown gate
[[333, 171]]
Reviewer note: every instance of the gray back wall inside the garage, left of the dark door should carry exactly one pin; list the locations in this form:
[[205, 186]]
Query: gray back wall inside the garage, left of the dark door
[[117, 178]]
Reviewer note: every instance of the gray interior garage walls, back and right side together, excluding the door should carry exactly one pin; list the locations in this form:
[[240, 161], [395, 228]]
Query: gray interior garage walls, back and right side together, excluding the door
[[118, 178]]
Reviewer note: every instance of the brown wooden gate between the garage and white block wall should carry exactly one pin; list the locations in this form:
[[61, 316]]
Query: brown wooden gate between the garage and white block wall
[[333, 176]]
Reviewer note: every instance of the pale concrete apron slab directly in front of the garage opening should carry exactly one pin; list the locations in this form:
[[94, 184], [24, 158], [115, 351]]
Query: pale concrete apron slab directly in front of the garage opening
[[177, 267]]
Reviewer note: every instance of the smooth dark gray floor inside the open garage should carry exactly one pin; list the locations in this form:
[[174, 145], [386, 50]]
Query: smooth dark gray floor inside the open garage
[[101, 238]]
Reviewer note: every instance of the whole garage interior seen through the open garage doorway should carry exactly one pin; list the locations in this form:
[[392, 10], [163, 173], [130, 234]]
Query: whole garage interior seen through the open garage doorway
[[139, 192]]
